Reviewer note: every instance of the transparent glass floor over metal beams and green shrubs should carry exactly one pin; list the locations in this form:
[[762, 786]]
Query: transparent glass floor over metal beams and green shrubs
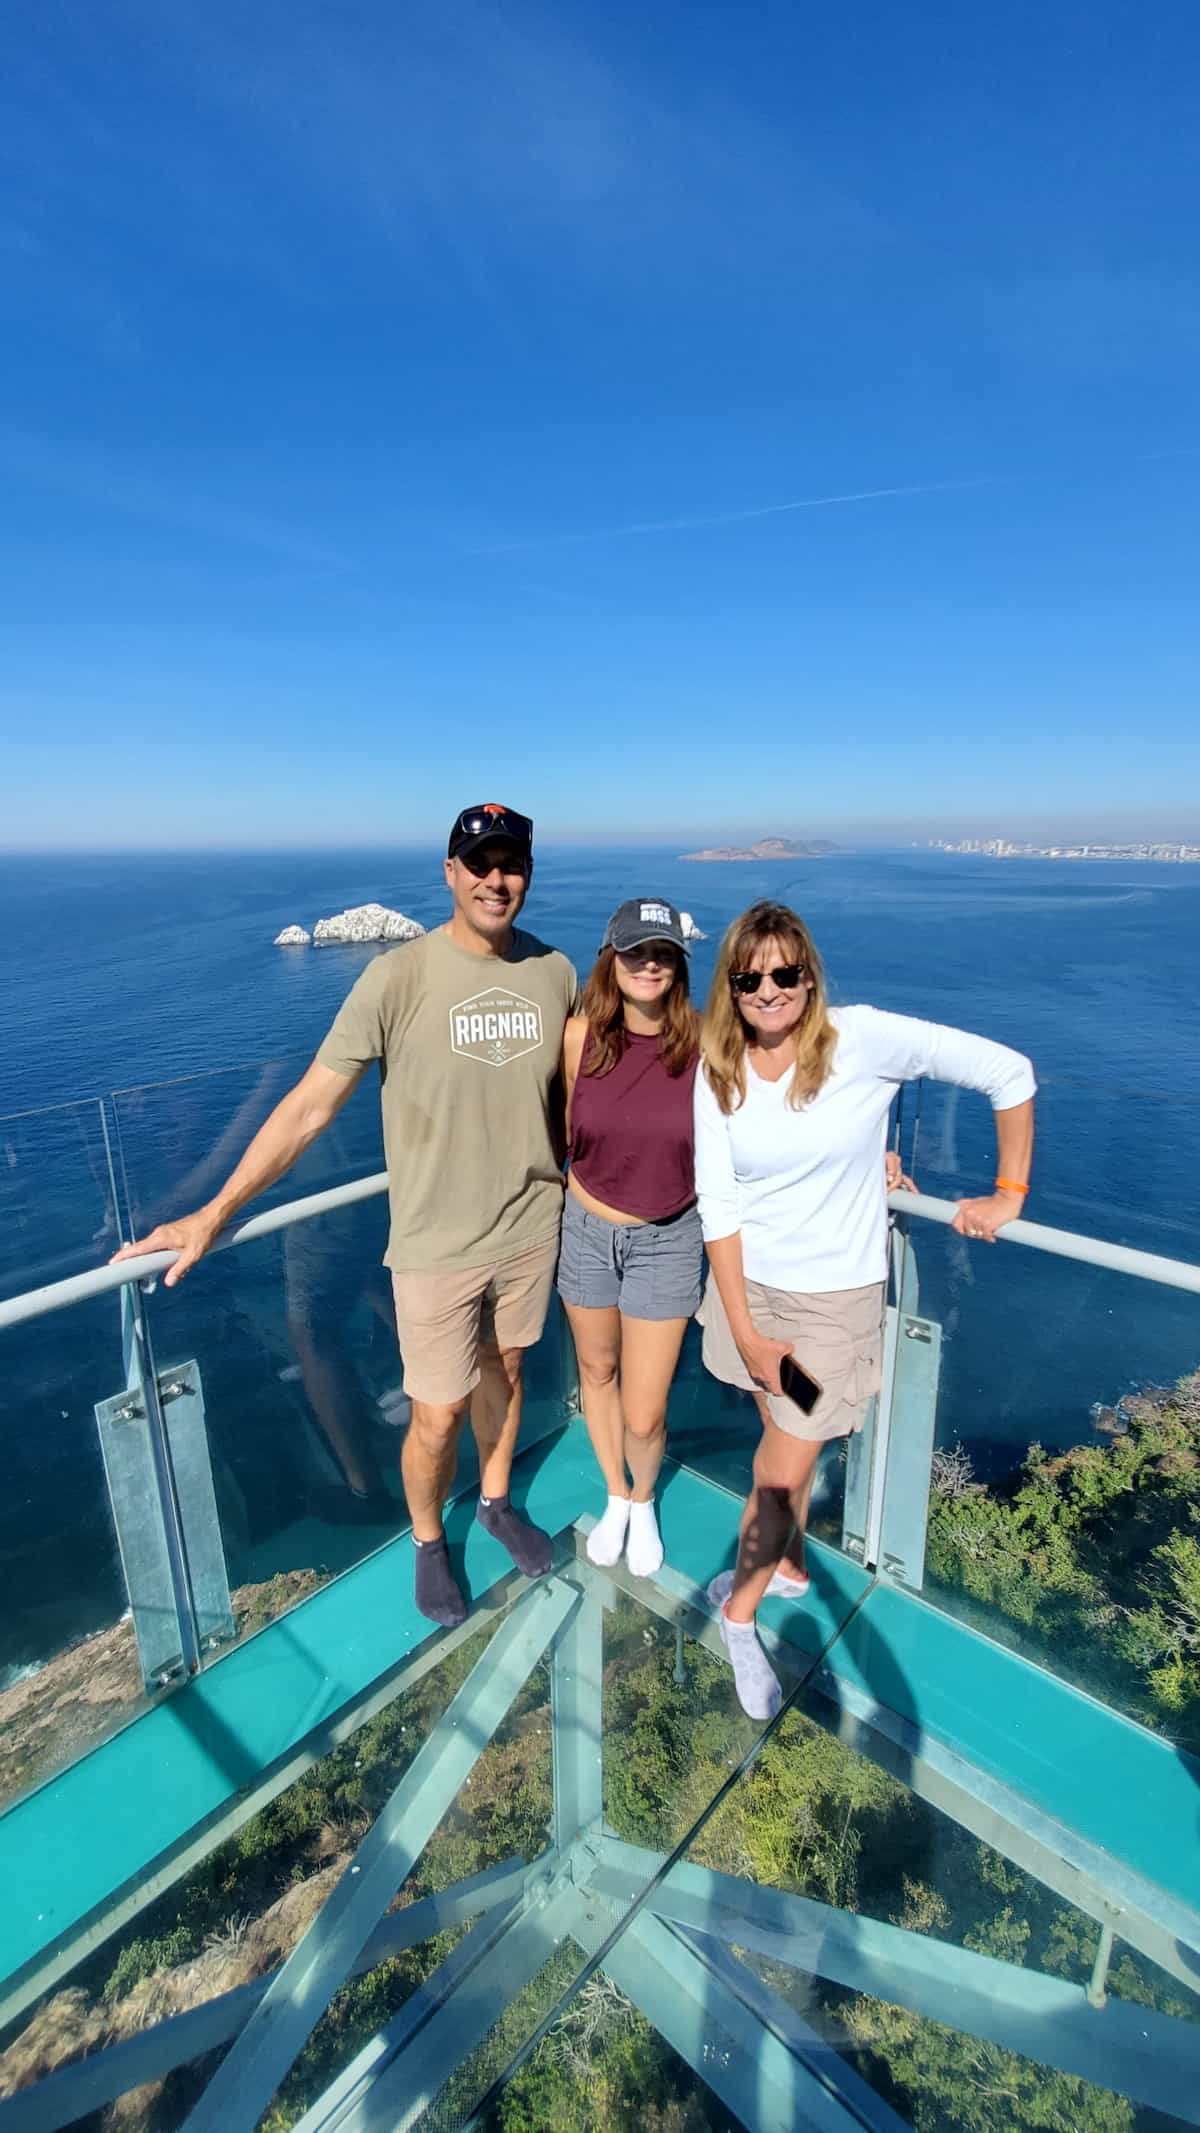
[[562, 1885]]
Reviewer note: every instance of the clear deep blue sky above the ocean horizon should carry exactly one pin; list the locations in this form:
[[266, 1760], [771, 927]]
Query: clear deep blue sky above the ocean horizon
[[668, 419]]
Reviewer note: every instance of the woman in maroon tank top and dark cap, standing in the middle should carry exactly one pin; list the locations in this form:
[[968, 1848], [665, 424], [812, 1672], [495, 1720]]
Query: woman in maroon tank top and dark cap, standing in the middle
[[630, 1270]]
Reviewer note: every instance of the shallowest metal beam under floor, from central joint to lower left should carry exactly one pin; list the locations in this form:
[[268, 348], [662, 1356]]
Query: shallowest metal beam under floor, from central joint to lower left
[[88, 2085]]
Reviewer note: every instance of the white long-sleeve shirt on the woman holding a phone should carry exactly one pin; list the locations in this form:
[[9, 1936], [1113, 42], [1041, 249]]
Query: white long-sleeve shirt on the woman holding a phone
[[807, 1189]]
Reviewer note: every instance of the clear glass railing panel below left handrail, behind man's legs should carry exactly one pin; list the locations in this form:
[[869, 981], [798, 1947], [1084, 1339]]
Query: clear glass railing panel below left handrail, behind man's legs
[[293, 1343]]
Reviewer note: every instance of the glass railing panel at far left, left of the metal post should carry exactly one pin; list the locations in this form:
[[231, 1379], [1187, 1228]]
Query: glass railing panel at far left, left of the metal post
[[69, 1654]]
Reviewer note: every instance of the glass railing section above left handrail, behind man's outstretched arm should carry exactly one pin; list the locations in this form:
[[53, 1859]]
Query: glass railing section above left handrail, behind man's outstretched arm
[[178, 1142]]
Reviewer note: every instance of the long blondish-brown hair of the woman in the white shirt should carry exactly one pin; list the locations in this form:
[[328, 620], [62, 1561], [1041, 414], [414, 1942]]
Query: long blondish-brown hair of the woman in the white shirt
[[724, 1033]]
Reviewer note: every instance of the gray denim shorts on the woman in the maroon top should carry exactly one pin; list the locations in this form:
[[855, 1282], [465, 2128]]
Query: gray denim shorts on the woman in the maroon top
[[649, 1270]]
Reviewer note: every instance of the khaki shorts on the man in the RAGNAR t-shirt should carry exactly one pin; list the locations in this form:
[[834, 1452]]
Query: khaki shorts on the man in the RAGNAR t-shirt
[[447, 1317]]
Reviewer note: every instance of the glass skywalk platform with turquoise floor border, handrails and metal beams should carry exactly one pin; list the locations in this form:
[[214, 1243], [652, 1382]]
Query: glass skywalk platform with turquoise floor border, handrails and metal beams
[[276, 1855]]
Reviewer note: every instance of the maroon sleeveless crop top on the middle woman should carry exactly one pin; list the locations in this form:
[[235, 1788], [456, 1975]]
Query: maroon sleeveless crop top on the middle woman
[[632, 1132]]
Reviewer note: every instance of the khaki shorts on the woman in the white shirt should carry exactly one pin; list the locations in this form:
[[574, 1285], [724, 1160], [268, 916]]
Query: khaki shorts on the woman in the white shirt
[[837, 1336]]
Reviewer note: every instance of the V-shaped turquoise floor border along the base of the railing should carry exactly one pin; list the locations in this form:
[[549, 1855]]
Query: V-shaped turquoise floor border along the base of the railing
[[86, 1838]]
